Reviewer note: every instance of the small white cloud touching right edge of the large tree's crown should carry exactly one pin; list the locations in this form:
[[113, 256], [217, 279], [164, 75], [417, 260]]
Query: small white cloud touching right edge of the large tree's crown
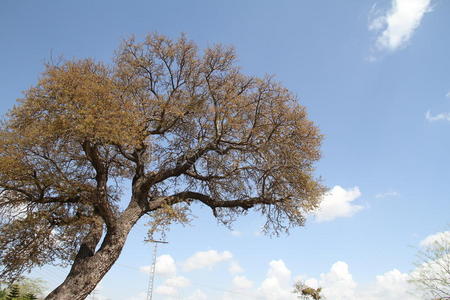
[[338, 203]]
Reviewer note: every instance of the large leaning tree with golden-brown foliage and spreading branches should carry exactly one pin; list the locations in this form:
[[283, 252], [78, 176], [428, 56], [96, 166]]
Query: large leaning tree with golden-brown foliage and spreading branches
[[178, 126]]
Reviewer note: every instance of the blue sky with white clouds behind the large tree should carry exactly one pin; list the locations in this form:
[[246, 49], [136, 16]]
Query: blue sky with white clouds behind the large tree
[[374, 76]]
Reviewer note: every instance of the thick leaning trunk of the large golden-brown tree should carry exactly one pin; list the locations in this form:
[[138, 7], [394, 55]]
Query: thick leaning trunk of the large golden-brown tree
[[87, 271]]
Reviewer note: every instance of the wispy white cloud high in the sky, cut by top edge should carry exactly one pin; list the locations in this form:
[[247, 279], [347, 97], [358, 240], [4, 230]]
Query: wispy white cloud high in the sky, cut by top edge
[[396, 26]]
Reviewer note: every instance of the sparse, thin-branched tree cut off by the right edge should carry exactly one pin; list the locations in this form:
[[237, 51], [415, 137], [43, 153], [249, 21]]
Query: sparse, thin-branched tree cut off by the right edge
[[432, 275]]
